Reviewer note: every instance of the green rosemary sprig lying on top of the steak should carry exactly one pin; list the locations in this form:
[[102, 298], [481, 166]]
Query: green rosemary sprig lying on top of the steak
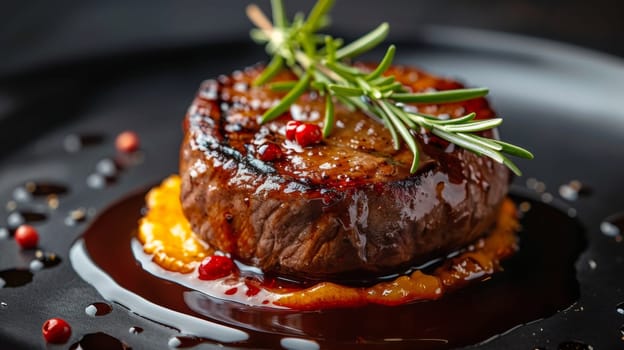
[[320, 62]]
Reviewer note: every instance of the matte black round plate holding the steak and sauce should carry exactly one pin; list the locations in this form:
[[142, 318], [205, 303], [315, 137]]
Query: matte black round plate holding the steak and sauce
[[561, 102]]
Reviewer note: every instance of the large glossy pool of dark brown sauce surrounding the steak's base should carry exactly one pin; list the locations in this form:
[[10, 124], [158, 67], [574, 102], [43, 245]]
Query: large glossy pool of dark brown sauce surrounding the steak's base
[[536, 283]]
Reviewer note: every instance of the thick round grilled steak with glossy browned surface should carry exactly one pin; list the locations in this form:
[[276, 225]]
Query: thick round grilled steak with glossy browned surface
[[345, 208]]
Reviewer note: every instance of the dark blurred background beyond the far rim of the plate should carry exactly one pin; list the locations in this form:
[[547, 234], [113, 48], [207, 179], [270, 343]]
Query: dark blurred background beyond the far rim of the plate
[[37, 33]]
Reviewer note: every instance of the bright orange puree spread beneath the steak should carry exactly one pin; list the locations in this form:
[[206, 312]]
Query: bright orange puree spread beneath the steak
[[167, 235]]
